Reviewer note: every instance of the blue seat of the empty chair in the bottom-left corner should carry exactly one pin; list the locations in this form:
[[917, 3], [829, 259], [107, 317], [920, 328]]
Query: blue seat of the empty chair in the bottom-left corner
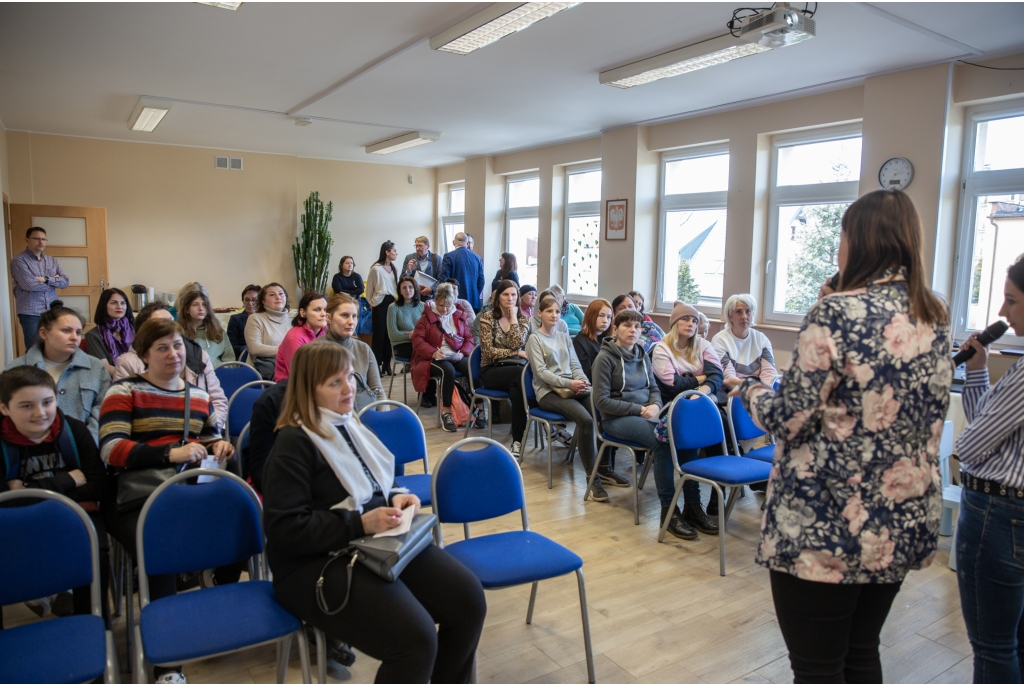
[[62, 651]]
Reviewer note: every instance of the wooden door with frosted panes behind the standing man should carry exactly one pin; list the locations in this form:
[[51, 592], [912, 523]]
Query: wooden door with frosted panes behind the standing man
[[78, 240]]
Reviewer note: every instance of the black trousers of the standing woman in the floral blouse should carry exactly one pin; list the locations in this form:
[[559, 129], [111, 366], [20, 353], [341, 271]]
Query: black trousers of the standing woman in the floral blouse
[[832, 631]]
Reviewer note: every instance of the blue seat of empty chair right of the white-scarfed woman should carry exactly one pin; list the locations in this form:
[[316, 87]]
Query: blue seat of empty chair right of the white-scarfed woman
[[515, 559]]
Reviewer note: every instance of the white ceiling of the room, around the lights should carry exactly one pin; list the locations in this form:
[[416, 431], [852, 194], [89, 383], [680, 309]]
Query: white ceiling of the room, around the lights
[[78, 69]]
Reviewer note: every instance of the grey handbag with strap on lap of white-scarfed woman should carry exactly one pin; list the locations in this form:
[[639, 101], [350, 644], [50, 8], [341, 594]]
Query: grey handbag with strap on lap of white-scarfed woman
[[387, 558]]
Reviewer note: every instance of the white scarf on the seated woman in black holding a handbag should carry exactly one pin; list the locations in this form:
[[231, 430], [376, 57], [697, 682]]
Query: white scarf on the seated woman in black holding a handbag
[[347, 465]]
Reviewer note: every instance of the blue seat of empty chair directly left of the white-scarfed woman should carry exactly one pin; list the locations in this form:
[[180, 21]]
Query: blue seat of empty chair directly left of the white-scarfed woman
[[215, 621]]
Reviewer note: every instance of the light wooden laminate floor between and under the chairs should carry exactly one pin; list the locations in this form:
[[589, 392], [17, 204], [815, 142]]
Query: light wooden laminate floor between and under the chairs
[[659, 614]]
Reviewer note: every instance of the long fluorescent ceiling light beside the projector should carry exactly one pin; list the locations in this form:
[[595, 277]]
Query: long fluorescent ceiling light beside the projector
[[710, 53]]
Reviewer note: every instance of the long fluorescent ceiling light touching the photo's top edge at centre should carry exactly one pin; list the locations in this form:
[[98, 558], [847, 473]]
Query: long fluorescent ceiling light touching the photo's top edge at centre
[[493, 24]]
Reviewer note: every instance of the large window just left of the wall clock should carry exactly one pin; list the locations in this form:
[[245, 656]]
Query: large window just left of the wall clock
[[815, 178]]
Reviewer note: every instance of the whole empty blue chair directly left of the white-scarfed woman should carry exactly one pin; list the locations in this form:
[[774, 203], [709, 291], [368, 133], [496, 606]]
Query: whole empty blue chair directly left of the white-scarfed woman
[[185, 529]]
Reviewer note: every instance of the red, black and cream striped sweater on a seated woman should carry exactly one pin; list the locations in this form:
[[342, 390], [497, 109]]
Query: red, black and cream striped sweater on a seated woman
[[139, 420]]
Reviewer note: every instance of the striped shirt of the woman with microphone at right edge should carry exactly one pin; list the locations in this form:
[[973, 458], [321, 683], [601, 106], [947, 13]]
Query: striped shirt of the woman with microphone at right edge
[[992, 447]]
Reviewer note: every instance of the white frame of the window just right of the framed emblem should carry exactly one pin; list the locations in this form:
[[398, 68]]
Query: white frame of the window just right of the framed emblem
[[688, 202]]
